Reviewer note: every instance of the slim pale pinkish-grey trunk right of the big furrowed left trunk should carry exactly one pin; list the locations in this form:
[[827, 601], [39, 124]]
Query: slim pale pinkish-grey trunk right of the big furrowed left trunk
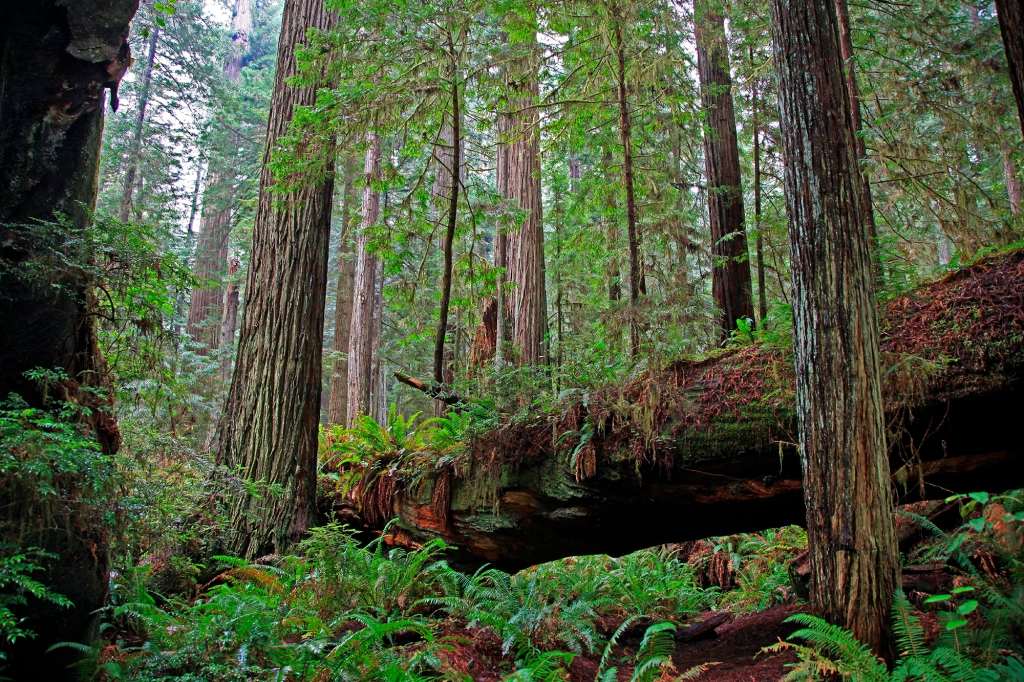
[[361, 331]]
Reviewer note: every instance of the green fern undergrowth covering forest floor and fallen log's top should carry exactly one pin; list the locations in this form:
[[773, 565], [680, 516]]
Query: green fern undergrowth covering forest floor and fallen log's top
[[345, 609]]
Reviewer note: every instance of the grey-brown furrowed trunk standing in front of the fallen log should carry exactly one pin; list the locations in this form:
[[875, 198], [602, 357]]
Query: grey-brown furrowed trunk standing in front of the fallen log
[[855, 560]]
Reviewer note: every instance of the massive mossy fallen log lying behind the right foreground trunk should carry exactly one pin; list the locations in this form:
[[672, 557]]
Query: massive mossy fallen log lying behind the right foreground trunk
[[707, 448]]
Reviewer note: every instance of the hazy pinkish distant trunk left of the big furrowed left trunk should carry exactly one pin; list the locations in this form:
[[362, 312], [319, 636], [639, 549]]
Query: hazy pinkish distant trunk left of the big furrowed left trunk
[[208, 307]]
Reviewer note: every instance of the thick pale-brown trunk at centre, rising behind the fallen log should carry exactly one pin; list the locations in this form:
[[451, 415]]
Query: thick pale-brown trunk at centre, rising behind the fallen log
[[526, 245]]
